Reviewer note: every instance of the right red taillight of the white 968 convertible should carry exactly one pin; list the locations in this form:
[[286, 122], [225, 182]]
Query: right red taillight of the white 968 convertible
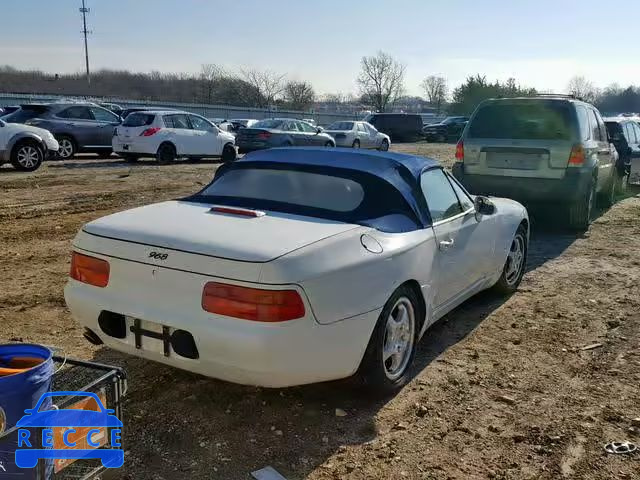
[[253, 304]]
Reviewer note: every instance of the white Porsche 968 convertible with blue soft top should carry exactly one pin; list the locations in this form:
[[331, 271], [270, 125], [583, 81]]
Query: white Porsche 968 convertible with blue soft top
[[295, 266]]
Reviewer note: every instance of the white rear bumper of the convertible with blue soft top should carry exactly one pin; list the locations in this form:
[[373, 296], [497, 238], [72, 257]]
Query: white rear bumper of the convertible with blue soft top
[[250, 353]]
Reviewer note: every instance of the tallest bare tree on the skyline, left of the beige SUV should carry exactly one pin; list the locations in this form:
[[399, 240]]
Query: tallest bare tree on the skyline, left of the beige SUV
[[381, 80]]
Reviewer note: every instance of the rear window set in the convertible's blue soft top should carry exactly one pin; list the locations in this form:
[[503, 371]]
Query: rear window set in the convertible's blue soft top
[[292, 187]]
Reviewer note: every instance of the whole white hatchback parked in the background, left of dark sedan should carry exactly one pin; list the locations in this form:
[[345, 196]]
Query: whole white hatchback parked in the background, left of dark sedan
[[167, 135]]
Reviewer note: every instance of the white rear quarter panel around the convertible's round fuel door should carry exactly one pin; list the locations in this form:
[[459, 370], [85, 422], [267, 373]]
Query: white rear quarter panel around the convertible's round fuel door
[[342, 279]]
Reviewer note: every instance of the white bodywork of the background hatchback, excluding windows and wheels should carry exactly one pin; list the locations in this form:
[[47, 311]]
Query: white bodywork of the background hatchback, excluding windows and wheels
[[128, 140]]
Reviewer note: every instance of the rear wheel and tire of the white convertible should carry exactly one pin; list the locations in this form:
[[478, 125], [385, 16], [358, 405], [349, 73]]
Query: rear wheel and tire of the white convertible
[[386, 375]]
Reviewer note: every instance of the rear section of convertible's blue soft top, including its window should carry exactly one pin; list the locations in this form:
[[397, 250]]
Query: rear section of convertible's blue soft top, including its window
[[322, 192]]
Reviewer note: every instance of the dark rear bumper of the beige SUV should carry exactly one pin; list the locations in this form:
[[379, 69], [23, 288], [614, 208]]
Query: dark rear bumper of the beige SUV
[[573, 186]]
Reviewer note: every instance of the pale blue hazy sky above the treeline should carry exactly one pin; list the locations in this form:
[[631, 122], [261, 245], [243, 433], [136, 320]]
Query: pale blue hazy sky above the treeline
[[541, 43]]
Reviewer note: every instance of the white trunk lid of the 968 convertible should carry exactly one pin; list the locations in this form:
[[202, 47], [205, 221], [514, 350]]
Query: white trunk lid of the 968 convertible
[[186, 227]]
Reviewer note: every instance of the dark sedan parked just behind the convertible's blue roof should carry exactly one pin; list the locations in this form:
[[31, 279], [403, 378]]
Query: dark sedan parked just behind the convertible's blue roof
[[281, 132]]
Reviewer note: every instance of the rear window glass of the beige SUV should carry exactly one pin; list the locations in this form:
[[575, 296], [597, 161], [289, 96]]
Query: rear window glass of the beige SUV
[[530, 121]]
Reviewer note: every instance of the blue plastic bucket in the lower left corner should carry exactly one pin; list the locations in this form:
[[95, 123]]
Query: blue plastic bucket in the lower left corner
[[19, 391]]
